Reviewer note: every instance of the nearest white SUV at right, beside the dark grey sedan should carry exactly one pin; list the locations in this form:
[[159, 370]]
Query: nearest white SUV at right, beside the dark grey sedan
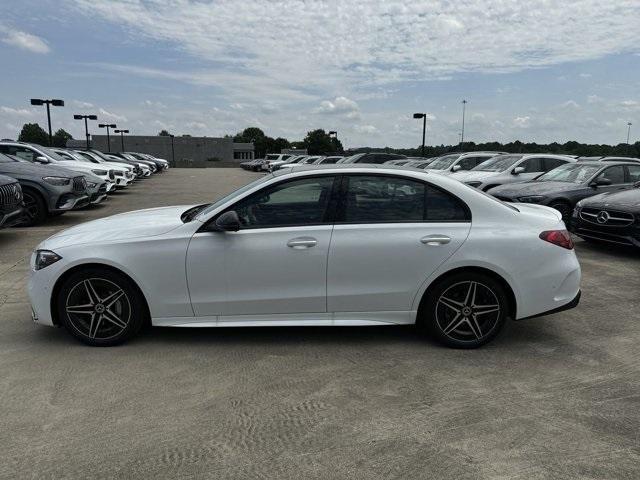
[[510, 168]]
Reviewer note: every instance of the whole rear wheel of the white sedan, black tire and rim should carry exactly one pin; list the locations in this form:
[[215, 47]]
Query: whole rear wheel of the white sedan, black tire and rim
[[450, 312]]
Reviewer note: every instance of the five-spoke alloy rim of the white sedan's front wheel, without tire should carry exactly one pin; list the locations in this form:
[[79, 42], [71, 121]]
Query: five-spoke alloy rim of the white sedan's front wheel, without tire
[[98, 308]]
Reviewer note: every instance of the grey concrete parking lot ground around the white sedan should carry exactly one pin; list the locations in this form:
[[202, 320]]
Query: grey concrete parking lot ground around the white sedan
[[555, 397]]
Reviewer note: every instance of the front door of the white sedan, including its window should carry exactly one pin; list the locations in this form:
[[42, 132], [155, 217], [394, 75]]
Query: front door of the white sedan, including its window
[[276, 263]]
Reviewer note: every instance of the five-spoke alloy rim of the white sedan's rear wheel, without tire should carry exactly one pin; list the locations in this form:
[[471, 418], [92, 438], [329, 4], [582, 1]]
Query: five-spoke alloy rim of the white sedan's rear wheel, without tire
[[468, 311]]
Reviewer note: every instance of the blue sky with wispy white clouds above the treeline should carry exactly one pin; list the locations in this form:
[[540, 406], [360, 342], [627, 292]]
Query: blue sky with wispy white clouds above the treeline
[[540, 70]]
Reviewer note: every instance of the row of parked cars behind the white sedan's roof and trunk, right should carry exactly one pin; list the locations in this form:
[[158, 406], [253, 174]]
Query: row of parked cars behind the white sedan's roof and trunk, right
[[598, 197]]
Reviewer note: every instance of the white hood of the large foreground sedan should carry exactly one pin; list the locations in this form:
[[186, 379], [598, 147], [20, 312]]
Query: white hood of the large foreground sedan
[[125, 226]]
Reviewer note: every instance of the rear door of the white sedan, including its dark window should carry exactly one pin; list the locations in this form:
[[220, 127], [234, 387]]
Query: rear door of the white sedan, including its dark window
[[391, 233]]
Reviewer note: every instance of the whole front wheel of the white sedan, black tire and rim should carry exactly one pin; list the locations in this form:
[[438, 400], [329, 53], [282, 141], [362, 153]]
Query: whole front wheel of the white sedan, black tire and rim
[[110, 310]]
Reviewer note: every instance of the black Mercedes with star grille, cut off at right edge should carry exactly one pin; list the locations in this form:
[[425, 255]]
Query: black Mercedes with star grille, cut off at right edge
[[610, 217]]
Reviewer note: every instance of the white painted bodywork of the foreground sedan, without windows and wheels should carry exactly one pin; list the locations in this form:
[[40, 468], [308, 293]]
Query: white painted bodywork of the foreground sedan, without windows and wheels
[[354, 275]]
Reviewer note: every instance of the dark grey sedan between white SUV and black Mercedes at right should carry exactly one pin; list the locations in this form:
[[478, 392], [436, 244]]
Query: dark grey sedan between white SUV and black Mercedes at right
[[564, 186]]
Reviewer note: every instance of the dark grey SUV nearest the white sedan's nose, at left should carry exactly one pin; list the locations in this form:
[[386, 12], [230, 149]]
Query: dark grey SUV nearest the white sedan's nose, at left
[[46, 190]]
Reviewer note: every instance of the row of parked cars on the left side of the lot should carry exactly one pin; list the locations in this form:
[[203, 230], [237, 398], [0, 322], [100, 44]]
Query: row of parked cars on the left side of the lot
[[37, 182]]
